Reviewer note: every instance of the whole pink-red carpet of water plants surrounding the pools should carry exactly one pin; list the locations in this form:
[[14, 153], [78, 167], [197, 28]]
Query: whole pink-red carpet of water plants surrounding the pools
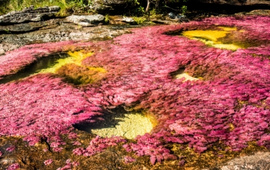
[[228, 105]]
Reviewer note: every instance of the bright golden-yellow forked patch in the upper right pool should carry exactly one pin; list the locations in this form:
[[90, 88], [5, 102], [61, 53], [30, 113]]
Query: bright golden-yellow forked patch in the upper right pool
[[213, 37]]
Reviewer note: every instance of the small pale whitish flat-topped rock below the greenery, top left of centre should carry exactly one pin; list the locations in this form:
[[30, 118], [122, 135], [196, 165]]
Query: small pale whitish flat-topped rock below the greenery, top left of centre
[[86, 20]]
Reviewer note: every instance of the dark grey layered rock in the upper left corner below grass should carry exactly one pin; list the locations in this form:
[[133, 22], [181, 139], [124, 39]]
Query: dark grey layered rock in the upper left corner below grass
[[28, 15]]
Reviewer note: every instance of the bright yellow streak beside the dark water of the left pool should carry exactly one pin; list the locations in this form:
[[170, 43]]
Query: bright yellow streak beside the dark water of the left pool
[[74, 57]]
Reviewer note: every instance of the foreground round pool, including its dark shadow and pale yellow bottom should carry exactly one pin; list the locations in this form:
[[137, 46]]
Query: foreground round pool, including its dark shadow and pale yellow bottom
[[120, 122]]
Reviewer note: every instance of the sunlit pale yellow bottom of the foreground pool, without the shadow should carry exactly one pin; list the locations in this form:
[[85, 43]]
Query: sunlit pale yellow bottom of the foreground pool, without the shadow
[[129, 126]]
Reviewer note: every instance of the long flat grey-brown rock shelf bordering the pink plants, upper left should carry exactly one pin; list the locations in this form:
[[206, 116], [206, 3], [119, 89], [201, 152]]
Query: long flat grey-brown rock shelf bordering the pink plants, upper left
[[60, 31]]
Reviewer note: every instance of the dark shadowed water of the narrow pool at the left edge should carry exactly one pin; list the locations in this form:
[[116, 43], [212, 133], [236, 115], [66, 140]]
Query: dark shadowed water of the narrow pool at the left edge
[[35, 67]]
